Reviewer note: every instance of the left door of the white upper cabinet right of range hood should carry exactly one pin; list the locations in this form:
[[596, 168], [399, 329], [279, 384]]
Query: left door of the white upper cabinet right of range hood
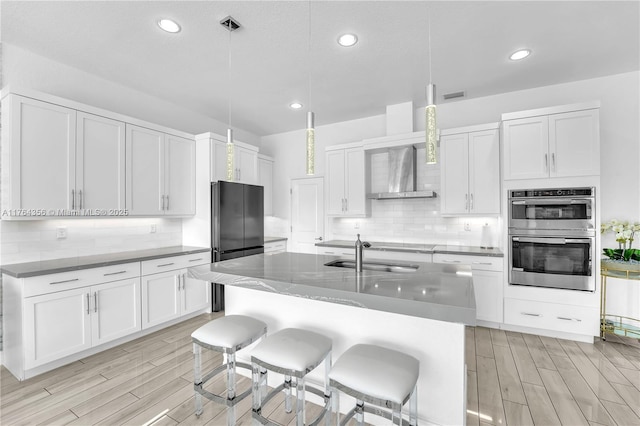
[[454, 155]]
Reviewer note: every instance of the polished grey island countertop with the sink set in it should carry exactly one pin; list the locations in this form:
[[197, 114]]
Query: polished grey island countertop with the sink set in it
[[435, 291]]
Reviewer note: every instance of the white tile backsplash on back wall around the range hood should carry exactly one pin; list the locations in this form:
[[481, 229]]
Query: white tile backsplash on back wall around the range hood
[[412, 220]]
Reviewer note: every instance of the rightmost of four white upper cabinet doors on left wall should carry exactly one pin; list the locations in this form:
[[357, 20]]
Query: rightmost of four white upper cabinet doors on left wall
[[180, 174]]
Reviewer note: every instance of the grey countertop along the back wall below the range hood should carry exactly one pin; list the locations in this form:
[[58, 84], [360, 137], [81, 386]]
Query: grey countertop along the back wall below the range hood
[[418, 248]]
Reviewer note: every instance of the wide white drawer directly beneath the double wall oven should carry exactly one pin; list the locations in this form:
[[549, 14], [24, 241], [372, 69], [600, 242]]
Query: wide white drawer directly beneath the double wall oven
[[551, 316]]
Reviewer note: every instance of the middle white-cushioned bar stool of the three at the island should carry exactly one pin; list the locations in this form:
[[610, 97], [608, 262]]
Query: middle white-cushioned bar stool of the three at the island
[[292, 352]]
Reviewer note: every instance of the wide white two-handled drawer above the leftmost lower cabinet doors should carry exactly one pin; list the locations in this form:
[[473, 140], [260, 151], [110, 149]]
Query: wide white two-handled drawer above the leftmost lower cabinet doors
[[51, 283]]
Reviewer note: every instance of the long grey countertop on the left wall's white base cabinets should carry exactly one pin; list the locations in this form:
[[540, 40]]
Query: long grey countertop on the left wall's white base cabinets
[[44, 267]]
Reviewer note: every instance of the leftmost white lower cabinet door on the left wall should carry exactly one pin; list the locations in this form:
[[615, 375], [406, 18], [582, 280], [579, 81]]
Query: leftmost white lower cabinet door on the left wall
[[56, 325]]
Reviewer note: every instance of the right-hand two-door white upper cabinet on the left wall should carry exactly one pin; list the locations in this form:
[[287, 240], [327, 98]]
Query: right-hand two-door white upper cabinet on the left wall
[[160, 173]]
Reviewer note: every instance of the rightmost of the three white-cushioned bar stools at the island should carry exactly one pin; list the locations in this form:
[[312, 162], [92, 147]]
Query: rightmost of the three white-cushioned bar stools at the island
[[379, 376]]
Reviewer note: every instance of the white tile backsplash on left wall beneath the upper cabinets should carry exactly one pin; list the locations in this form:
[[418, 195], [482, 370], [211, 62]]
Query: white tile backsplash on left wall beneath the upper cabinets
[[29, 241]]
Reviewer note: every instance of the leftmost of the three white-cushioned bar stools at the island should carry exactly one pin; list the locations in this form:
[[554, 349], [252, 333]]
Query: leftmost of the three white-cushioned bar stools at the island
[[227, 334]]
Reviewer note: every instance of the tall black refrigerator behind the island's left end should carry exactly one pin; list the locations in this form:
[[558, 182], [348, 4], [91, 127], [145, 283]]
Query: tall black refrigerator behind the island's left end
[[237, 226]]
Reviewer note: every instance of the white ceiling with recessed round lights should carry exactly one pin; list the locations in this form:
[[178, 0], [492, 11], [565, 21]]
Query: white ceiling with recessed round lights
[[271, 54]]
